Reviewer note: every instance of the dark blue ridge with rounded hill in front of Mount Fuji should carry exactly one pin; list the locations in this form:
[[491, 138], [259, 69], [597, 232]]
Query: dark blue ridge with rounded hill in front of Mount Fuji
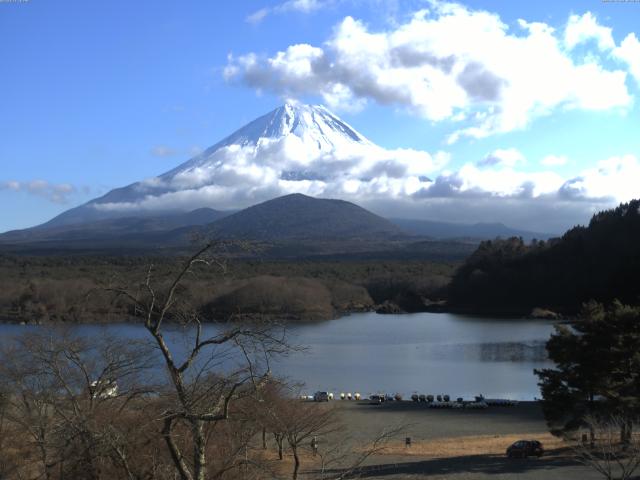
[[294, 217]]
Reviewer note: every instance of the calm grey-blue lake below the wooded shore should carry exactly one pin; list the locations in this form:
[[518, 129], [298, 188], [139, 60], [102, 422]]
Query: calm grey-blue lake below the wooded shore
[[435, 353]]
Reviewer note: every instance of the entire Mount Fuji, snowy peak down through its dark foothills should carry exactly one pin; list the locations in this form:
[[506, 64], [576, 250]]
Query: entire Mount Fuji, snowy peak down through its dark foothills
[[292, 154]]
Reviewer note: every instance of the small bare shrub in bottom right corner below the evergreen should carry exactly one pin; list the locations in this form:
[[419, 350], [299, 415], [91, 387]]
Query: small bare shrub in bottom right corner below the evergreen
[[607, 453]]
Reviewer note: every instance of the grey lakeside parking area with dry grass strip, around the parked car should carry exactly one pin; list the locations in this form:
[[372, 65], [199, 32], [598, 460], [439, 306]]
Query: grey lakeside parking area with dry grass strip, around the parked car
[[427, 426]]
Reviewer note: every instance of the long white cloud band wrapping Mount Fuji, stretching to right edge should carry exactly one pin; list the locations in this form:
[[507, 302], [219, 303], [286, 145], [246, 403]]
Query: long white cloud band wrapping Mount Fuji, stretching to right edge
[[401, 182]]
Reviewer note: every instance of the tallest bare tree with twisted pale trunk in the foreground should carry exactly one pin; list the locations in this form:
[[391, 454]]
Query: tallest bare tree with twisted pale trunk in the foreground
[[202, 386]]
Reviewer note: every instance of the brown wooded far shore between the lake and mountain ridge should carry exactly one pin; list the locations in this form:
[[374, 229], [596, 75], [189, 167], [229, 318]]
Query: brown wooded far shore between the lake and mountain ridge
[[74, 289]]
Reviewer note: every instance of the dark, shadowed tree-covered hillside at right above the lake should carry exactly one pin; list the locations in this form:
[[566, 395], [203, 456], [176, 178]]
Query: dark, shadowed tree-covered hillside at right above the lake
[[600, 262]]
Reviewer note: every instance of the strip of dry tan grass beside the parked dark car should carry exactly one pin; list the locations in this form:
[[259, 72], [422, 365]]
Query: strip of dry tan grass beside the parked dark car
[[470, 445]]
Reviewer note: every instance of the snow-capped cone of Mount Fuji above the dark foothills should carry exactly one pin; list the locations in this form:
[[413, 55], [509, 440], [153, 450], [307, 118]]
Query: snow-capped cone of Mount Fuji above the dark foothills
[[293, 148]]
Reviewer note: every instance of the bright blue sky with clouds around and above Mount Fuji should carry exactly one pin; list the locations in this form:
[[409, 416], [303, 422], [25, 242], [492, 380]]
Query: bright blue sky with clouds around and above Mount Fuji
[[97, 95]]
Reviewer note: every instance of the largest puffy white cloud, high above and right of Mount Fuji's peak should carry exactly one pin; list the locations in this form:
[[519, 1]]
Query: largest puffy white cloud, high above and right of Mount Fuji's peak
[[448, 63]]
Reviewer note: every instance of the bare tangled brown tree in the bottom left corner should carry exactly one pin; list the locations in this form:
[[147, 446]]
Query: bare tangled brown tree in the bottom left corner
[[64, 392]]
